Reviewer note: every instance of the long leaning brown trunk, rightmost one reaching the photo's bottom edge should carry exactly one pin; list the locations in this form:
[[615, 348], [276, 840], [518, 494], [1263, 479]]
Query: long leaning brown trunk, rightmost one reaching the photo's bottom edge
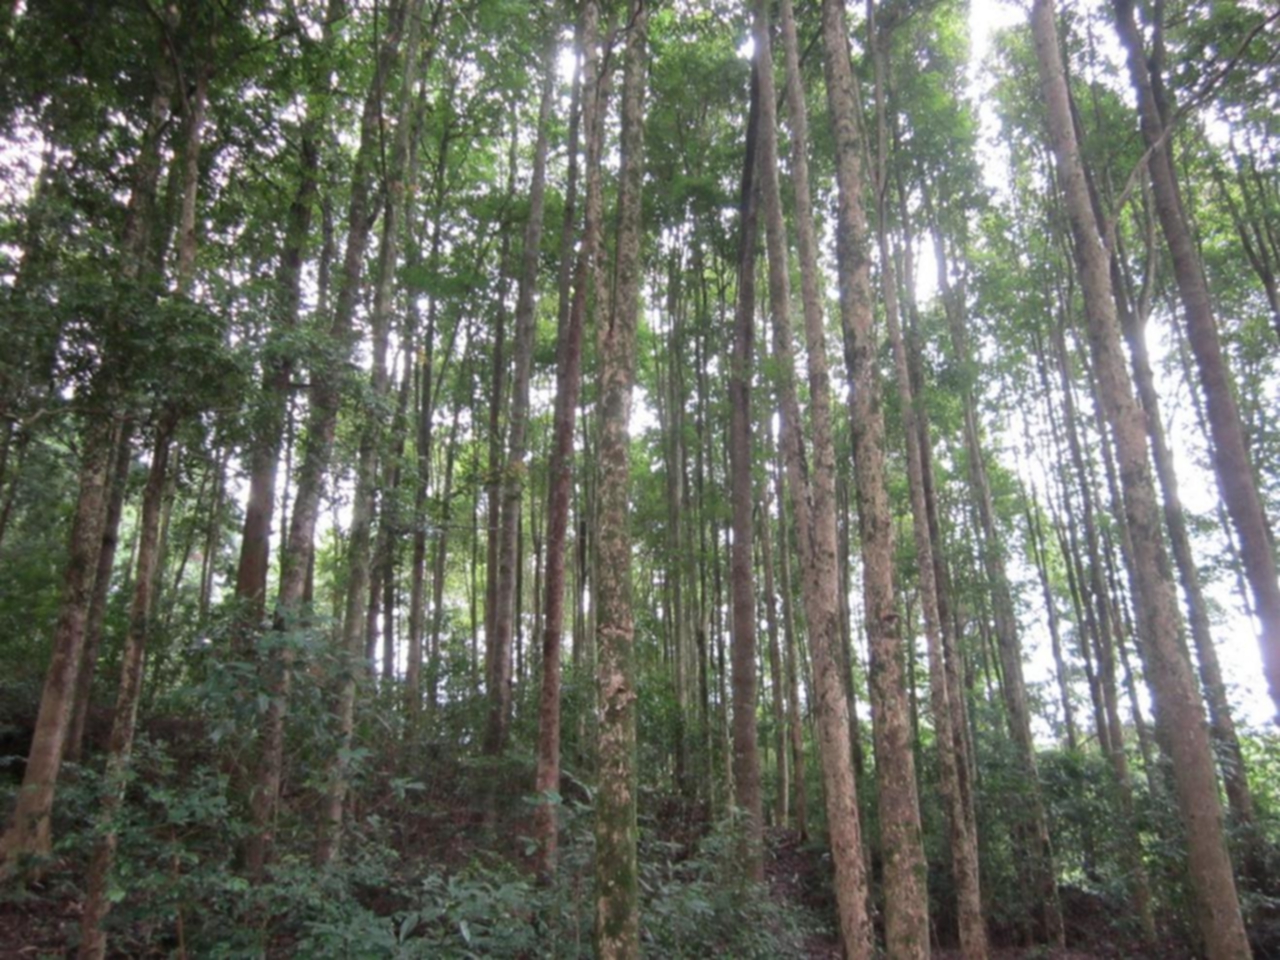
[[1178, 702]]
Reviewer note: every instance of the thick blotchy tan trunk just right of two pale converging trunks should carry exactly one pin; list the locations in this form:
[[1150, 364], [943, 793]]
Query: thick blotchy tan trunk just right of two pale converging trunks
[[906, 895]]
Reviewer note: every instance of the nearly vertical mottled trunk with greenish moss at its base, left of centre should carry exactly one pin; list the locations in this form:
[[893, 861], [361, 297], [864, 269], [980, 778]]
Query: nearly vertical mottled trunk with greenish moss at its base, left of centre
[[618, 911]]
